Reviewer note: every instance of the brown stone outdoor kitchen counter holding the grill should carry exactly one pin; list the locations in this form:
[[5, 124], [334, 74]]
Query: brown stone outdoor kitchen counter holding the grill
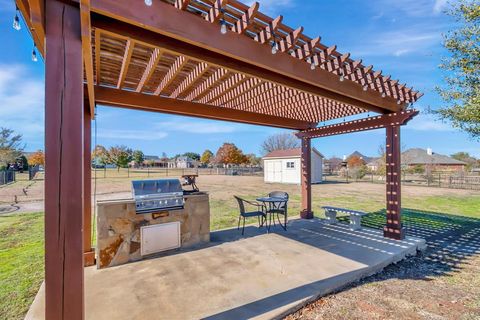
[[118, 227]]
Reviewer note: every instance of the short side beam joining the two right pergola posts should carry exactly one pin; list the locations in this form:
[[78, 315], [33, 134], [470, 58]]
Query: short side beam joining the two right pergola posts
[[377, 122]]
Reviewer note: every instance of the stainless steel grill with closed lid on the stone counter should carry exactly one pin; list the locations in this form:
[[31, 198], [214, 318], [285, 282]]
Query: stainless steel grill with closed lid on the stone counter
[[157, 195]]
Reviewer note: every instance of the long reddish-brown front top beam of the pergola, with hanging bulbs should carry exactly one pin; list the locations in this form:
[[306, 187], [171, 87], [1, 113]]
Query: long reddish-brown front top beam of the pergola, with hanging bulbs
[[184, 33]]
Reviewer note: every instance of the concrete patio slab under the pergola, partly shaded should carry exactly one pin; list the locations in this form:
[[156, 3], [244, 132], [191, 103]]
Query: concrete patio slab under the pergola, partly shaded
[[259, 276]]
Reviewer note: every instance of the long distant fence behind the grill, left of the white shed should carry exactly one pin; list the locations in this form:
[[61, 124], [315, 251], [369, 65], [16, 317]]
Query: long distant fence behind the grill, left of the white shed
[[148, 172]]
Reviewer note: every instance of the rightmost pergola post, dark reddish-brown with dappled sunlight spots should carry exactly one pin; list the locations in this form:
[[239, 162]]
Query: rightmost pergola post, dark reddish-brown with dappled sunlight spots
[[394, 228]]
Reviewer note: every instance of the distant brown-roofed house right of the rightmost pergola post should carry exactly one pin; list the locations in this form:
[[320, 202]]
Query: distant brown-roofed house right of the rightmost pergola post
[[429, 159]]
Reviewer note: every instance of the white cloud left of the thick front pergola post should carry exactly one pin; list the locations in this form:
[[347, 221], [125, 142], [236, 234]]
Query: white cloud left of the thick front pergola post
[[22, 103]]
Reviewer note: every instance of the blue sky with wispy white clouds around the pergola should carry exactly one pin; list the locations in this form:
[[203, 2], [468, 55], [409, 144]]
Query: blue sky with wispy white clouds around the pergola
[[402, 38]]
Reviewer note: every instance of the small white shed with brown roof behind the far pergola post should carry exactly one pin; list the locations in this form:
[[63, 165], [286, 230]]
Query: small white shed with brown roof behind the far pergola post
[[283, 166]]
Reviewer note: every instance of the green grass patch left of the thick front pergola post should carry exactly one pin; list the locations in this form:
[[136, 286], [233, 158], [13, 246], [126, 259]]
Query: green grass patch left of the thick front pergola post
[[21, 262]]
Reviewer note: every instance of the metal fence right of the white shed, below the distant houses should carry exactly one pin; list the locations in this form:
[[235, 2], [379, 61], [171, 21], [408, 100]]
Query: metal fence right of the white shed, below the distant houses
[[435, 179]]
